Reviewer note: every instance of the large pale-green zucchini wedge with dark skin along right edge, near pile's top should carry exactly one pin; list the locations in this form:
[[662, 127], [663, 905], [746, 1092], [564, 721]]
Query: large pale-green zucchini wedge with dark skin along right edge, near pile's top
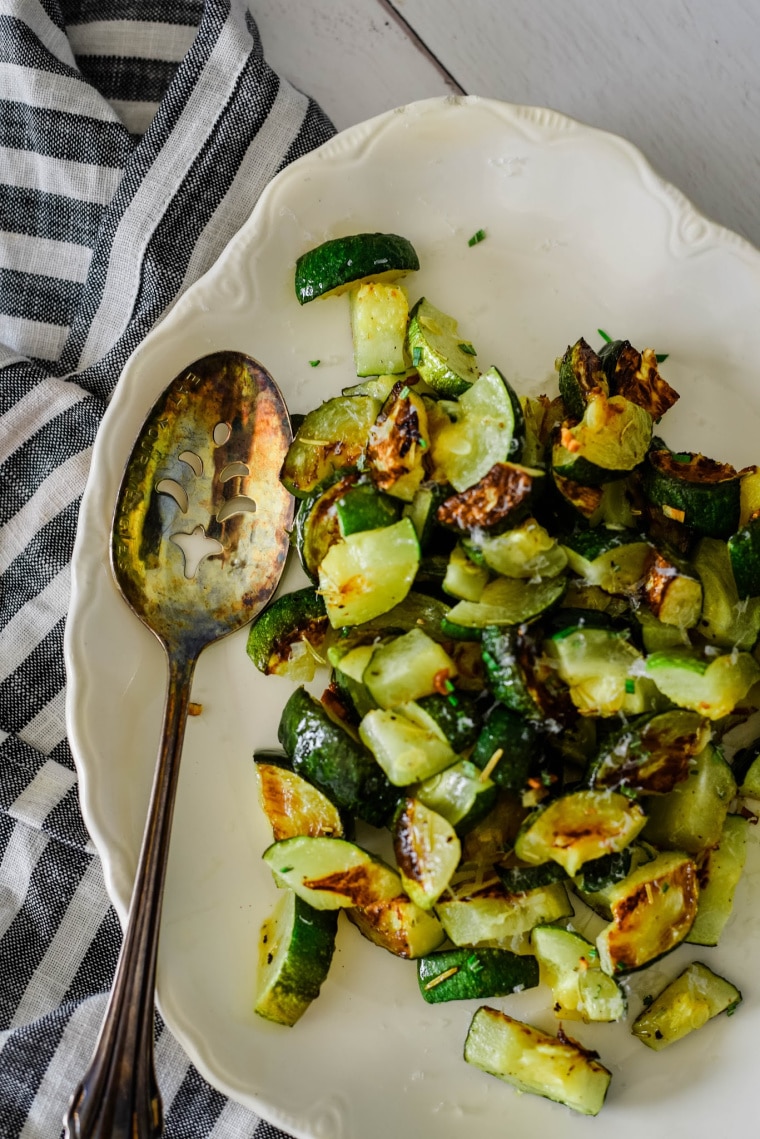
[[488, 428]]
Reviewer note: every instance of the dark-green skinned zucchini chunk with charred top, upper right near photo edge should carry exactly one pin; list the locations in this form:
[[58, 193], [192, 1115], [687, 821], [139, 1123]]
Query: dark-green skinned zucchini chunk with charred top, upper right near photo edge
[[698, 493]]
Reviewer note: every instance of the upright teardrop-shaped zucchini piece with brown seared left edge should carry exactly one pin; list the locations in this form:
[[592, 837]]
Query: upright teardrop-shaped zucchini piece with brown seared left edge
[[427, 850]]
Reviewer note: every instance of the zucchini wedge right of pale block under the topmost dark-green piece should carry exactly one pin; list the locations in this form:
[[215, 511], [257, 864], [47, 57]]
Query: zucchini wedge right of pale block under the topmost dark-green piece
[[438, 351]]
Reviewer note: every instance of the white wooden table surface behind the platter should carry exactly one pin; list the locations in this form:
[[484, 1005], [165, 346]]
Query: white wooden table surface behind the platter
[[681, 79]]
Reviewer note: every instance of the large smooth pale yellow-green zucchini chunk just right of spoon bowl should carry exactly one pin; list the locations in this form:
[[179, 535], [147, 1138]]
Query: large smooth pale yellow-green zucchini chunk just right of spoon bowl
[[367, 573]]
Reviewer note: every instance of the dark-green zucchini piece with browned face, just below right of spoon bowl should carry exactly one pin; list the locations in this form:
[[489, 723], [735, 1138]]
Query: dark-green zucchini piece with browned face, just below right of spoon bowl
[[289, 638]]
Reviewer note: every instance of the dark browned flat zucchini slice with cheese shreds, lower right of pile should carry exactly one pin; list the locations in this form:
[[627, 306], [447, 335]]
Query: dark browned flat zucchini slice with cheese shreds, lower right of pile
[[651, 755]]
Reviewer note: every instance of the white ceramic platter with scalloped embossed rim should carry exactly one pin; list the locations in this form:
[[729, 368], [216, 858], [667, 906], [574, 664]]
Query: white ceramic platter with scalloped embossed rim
[[581, 235]]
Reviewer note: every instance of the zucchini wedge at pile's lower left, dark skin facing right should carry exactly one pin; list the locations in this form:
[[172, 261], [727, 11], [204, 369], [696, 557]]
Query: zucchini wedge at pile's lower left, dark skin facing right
[[296, 950]]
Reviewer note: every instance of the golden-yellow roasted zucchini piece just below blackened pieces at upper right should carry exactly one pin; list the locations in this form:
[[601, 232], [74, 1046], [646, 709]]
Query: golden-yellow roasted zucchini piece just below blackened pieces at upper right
[[610, 441]]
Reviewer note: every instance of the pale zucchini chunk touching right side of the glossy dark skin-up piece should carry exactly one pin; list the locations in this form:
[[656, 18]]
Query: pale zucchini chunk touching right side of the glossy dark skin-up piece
[[406, 750]]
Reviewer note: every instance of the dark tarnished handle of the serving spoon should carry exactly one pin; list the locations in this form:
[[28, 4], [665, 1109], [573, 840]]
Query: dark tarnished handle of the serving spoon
[[119, 1097]]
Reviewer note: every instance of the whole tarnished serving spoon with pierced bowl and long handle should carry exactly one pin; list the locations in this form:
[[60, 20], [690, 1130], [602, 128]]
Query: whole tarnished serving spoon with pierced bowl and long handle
[[199, 543]]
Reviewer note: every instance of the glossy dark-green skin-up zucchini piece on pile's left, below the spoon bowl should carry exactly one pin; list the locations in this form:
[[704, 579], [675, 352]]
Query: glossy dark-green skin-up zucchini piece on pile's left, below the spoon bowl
[[334, 763]]
